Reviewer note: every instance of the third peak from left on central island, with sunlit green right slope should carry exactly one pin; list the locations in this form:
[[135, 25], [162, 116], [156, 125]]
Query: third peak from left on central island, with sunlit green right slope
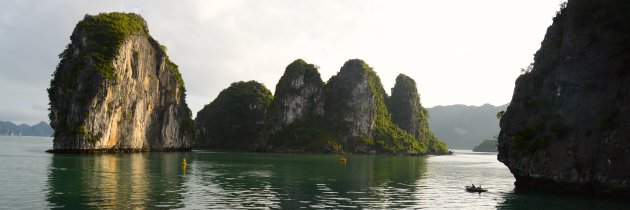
[[355, 107]]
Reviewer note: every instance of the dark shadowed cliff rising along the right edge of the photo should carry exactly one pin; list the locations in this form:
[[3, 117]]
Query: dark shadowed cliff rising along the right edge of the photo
[[566, 126]]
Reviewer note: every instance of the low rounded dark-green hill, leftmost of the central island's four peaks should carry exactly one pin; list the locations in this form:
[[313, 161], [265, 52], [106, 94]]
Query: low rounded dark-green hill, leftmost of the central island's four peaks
[[235, 119]]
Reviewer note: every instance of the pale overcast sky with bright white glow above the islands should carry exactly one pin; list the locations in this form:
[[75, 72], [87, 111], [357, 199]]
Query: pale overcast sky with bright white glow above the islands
[[458, 51]]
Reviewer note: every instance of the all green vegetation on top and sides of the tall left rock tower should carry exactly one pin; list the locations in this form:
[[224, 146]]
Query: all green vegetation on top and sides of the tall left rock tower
[[86, 68]]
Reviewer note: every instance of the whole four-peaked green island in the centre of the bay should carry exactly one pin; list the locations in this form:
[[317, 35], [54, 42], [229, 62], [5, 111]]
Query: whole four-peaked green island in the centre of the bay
[[351, 113]]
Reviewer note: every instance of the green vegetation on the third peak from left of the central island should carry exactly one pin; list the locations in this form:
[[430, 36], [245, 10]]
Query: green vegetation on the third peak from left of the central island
[[385, 136]]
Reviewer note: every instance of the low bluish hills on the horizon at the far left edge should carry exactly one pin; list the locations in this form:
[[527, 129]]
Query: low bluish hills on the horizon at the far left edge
[[42, 128]]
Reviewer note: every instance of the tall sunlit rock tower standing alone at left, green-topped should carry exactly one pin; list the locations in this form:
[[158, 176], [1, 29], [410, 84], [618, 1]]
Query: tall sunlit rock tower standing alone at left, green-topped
[[116, 90]]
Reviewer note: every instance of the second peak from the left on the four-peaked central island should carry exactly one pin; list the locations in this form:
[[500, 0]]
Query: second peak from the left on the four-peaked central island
[[295, 115]]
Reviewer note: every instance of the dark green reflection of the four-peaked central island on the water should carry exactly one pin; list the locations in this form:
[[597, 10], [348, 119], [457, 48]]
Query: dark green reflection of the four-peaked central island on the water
[[313, 181]]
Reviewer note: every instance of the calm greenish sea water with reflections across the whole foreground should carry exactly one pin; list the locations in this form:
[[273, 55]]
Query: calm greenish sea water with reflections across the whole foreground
[[32, 179]]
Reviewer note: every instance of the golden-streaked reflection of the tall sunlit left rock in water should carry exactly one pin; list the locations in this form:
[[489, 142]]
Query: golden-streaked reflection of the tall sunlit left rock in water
[[115, 181]]
